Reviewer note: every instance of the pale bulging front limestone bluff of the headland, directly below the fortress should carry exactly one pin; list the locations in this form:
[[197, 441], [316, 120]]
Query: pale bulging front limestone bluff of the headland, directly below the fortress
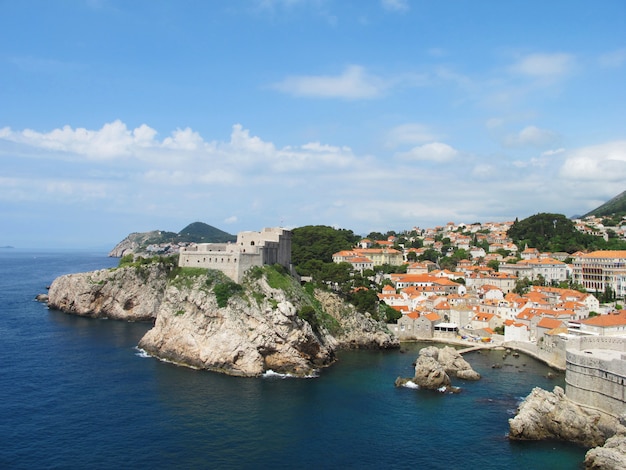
[[256, 330]]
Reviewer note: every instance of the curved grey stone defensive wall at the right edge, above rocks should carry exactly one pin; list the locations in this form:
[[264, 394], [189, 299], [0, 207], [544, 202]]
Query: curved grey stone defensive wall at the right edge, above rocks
[[595, 373]]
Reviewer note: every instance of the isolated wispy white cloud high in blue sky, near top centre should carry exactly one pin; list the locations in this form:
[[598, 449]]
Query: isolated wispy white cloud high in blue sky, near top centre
[[354, 83]]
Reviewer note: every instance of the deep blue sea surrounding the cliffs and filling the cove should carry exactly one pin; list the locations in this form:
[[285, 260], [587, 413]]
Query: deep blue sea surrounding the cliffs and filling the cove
[[77, 393]]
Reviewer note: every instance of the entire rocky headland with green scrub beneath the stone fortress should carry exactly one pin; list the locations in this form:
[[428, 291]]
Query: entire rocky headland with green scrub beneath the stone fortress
[[204, 320]]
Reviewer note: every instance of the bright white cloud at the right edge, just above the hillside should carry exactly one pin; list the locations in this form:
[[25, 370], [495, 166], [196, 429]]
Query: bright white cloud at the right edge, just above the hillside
[[603, 162]]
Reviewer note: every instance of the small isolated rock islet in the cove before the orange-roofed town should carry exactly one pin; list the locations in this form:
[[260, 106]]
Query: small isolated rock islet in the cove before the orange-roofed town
[[435, 366]]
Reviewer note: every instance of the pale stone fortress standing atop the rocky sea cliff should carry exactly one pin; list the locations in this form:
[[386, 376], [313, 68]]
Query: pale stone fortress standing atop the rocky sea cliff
[[269, 246]]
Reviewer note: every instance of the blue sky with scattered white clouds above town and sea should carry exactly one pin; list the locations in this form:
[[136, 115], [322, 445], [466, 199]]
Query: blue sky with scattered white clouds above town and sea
[[367, 115]]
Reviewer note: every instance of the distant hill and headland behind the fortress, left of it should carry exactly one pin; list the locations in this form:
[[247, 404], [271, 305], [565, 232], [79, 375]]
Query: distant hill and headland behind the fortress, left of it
[[162, 242]]
